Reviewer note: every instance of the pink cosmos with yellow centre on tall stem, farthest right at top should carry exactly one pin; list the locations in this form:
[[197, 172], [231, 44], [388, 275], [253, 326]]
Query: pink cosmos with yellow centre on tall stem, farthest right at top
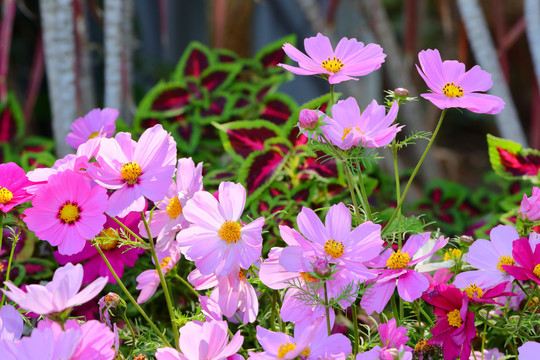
[[453, 87]]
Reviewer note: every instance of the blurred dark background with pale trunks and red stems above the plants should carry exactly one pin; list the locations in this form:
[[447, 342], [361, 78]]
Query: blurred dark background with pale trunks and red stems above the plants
[[61, 58]]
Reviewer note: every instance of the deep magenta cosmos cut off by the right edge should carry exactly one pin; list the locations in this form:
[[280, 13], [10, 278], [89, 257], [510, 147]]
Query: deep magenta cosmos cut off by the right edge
[[527, 259]]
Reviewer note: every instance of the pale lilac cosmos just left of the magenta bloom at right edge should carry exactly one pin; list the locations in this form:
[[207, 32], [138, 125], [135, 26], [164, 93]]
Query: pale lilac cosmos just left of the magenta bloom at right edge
[[489, 257]]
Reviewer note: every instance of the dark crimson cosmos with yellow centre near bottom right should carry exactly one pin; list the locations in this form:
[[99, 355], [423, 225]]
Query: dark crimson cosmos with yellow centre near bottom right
[[454, 328]]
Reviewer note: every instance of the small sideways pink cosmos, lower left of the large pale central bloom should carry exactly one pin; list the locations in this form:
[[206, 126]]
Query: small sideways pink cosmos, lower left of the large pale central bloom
[[148, 280]]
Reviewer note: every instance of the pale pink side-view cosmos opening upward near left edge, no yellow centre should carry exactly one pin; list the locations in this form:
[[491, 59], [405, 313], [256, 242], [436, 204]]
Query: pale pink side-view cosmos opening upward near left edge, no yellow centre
[[58, 295]]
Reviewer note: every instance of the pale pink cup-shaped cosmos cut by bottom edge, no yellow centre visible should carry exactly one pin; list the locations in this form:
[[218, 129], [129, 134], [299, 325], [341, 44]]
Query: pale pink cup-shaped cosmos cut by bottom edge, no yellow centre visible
[[204, 341]]
